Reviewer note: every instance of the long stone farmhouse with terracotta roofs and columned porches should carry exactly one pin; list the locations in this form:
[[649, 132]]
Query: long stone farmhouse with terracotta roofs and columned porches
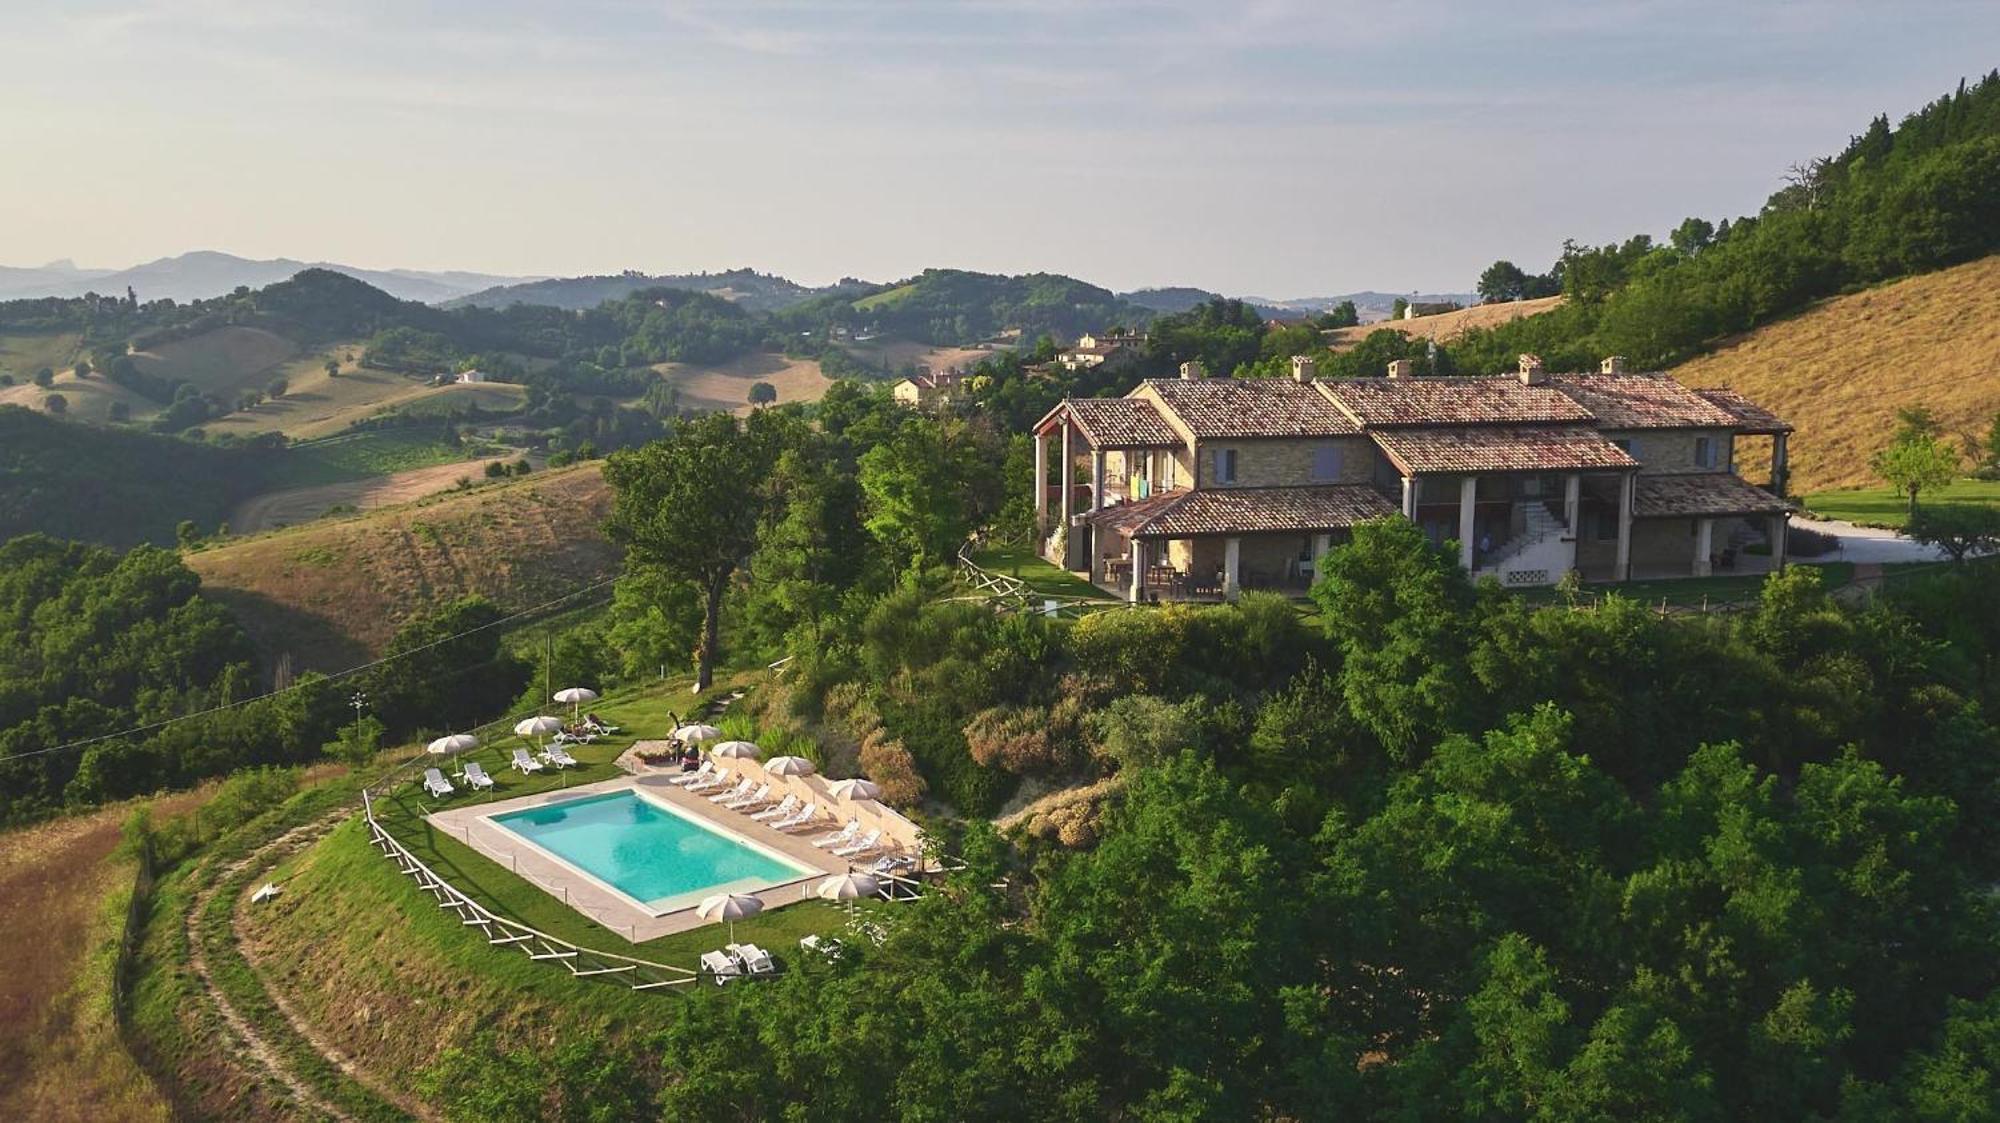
[[1195, 489]]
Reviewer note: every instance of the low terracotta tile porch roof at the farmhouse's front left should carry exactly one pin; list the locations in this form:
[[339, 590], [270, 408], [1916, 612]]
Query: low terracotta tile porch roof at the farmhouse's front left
[[1249, 511]]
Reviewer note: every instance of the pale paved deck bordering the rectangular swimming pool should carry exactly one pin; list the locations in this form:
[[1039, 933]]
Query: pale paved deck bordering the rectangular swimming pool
[[473, 826]]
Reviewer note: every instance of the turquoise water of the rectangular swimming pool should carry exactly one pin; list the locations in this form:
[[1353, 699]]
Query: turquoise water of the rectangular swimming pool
[[649, 852]]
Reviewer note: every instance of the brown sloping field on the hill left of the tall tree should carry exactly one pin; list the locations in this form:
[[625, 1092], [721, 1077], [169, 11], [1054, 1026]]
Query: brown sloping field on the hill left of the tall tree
[[333, 592]]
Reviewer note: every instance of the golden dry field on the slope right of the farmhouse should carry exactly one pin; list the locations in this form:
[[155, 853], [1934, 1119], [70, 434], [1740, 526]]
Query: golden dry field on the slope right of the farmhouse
[[1845, 367]]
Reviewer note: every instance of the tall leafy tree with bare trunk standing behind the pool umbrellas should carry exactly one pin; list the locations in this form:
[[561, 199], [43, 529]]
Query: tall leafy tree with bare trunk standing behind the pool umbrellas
[[689, 507]]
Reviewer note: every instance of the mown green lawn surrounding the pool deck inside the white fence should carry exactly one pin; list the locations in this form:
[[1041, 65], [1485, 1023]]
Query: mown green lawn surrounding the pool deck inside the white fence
[[643, 714]]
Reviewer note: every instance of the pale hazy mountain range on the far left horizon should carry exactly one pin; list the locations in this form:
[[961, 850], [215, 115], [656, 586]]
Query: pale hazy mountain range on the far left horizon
[[207, 273]]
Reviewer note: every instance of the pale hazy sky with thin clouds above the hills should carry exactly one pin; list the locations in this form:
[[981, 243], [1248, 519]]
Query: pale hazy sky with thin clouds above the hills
[[1275, 149]]
